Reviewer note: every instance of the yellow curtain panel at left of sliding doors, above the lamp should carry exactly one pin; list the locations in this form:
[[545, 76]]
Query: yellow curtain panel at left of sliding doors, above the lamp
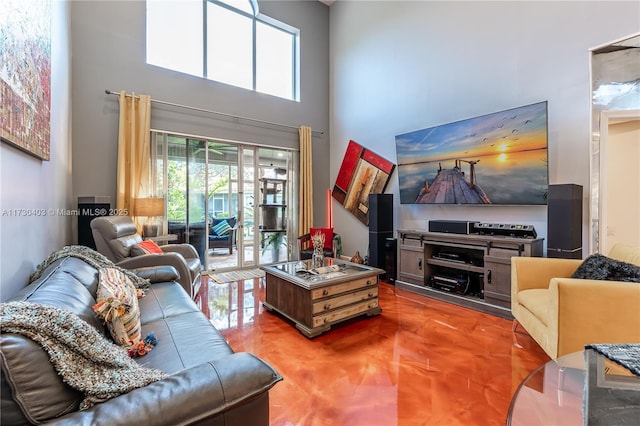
[[134, 151]]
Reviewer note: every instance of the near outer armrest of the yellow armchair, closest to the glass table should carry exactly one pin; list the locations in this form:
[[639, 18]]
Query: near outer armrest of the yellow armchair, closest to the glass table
[[593, 311]]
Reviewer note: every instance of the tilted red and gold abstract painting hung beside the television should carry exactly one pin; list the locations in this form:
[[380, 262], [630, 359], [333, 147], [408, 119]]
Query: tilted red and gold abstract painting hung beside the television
[[362, 172]]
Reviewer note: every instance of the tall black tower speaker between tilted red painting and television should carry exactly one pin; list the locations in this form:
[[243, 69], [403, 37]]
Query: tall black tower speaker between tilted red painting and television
[[380, 227]]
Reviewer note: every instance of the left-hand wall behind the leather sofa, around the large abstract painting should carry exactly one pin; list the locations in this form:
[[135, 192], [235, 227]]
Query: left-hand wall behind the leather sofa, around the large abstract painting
[[28, 183]]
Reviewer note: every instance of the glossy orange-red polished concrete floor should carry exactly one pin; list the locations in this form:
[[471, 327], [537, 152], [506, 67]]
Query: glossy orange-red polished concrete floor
[[420, 362]]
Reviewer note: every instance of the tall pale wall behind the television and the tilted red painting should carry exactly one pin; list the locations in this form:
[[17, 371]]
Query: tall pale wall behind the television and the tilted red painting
[[403, 66]]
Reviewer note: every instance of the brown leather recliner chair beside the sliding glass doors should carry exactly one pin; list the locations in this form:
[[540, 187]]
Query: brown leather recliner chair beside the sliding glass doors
[[116, 235]]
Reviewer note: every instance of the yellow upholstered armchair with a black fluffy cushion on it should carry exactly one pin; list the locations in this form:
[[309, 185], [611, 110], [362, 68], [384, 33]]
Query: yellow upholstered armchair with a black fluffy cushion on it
[[563, 314]]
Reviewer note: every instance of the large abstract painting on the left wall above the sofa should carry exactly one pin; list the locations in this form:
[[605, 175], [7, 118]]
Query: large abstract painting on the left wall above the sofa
[[25, 75]]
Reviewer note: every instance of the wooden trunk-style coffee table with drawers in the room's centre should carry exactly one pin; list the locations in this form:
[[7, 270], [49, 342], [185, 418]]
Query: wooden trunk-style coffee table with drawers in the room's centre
[[316, 302]]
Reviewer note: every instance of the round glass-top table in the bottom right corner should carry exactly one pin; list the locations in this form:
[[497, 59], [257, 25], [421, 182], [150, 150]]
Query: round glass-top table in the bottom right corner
[[561, 391]]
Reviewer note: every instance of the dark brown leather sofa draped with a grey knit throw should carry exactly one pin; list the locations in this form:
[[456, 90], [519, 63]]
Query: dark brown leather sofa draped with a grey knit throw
[[207, 384]]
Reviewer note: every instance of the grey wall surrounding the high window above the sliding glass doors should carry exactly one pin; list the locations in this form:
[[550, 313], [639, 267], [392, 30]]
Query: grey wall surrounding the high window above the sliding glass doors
[[109, 53]]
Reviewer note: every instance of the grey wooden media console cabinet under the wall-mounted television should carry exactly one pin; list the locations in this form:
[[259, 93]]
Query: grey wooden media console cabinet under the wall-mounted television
[[469, 270]]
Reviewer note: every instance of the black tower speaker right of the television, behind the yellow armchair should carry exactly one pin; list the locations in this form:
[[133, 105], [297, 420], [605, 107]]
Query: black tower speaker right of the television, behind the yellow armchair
[[564, 221]]
